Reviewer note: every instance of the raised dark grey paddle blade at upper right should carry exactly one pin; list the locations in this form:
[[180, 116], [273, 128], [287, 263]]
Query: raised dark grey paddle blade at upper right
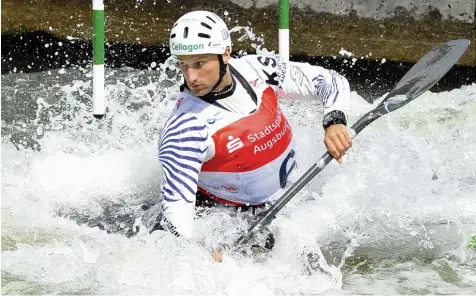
[[424, 74]]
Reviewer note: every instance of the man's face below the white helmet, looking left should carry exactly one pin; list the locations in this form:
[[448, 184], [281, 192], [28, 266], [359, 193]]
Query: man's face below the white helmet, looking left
[[201, 72]]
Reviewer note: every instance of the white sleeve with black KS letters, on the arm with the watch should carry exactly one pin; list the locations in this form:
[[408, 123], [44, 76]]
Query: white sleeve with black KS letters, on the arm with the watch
[[303, 81]]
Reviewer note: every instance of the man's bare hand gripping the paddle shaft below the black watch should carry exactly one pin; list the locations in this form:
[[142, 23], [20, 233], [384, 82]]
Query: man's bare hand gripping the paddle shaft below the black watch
[[337, 140]]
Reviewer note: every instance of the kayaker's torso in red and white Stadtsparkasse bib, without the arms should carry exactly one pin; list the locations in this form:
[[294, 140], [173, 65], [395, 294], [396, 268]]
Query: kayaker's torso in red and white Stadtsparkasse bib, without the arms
[[250, 155]]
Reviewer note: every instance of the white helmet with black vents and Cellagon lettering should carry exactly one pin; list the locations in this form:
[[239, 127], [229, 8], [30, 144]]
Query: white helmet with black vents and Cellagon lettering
[[199, 32]]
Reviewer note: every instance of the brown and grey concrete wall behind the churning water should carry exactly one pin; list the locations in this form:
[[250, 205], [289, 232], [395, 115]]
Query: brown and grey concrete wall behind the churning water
[[376, 30]]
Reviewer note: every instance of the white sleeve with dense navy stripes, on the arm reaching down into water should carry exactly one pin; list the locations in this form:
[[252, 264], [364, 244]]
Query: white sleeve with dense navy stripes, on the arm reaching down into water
[[182, 149]]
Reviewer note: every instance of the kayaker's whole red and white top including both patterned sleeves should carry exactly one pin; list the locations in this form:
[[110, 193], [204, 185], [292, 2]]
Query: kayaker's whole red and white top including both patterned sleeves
[[243, 153]]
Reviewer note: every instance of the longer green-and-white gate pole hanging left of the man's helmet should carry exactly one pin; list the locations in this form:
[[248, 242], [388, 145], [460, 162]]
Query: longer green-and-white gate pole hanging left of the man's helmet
[[98, 58]]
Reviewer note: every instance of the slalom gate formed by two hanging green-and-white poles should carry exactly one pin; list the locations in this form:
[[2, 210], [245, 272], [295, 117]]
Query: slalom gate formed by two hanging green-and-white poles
[[98, 50]]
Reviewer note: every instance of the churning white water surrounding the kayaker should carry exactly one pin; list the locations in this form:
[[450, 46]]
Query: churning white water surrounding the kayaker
[[403, 199]]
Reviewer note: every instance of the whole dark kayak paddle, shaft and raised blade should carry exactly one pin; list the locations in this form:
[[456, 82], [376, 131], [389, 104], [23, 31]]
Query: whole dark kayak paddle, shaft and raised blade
[[421, 77]]
